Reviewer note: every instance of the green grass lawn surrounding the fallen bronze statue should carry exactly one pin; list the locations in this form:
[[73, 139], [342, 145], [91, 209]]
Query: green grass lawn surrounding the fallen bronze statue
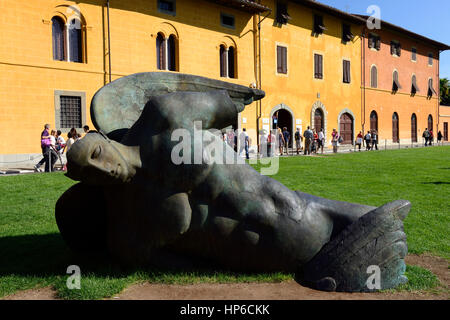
[[34, 255]]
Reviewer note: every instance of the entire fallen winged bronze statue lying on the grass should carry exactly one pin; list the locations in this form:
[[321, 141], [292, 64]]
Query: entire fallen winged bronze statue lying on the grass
[[135, 202]]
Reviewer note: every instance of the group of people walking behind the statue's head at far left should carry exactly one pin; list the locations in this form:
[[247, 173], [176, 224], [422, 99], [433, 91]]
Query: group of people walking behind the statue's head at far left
[[53, 145]]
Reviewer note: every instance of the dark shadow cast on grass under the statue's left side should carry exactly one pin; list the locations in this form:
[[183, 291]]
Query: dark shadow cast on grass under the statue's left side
[[47, 255]]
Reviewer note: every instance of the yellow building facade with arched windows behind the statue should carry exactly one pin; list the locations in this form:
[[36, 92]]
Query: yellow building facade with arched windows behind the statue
[[41, 78]]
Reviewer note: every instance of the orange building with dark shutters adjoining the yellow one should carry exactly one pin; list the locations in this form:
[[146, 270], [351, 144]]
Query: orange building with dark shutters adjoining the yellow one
[[400, 84]]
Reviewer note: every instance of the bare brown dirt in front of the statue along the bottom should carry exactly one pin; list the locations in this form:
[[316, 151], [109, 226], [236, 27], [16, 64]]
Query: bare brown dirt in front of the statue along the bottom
[[288, 290]]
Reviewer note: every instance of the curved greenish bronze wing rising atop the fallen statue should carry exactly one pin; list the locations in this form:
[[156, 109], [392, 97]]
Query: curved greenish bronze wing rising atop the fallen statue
[[117, 106]]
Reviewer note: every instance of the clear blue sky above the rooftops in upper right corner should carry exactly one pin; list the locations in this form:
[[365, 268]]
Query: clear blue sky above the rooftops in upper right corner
[[430, 18]]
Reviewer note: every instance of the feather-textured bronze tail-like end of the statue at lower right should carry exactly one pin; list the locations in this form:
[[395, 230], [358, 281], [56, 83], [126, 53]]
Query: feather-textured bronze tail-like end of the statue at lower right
[[366, 255]]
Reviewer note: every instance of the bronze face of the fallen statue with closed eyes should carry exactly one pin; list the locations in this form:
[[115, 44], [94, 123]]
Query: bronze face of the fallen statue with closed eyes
[[96, 160]]
